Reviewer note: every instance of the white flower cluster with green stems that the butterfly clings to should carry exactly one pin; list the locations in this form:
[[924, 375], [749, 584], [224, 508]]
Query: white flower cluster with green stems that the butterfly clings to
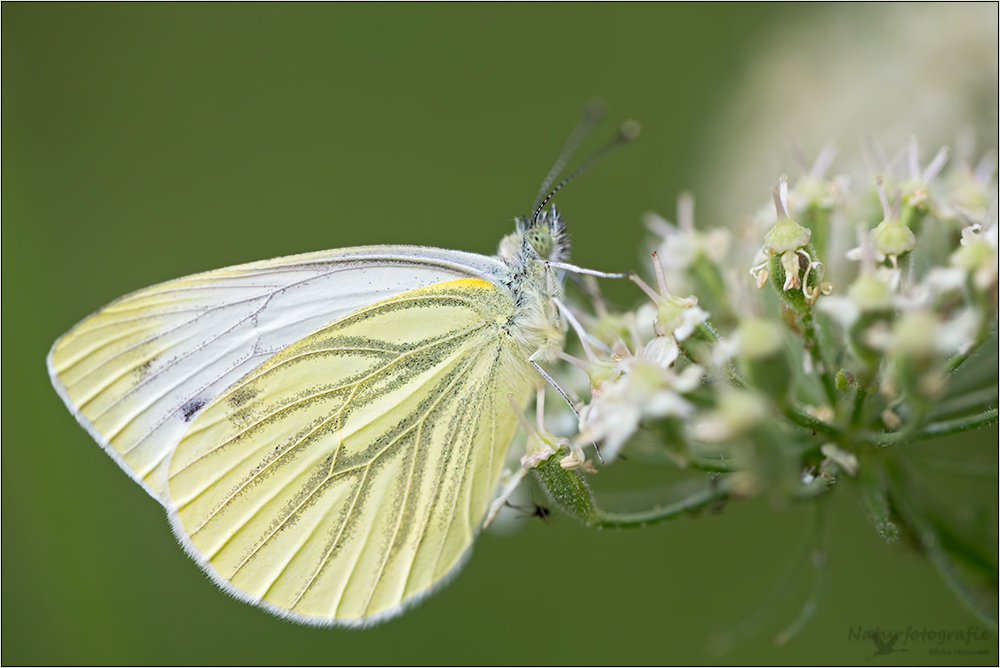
[[866, 321]]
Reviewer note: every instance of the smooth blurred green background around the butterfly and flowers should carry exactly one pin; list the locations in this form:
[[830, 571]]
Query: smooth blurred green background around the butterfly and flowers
[[146, 142]]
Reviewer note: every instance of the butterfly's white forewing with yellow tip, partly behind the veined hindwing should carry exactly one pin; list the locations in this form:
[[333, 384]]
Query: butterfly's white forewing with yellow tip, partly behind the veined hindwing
[[139, 370]]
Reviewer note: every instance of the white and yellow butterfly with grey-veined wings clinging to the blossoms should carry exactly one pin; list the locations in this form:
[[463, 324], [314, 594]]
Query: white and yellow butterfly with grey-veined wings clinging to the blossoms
[[325, 431]]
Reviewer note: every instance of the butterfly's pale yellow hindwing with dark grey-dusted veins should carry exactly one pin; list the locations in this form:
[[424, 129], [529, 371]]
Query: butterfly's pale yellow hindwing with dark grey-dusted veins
[[348, 474]]
